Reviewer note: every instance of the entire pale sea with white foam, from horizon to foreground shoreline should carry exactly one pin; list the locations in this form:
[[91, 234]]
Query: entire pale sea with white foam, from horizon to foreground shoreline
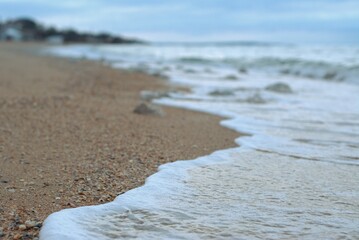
[[294, 173]]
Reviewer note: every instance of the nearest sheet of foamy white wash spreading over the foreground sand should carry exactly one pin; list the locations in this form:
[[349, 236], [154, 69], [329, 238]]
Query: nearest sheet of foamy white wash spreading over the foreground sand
[[254, 197]]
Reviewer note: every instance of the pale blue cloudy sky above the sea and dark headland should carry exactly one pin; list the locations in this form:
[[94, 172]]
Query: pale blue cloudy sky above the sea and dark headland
[[299, 21]]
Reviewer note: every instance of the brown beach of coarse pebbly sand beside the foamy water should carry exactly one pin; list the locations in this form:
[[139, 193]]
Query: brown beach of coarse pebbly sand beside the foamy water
[[69, 137]]
